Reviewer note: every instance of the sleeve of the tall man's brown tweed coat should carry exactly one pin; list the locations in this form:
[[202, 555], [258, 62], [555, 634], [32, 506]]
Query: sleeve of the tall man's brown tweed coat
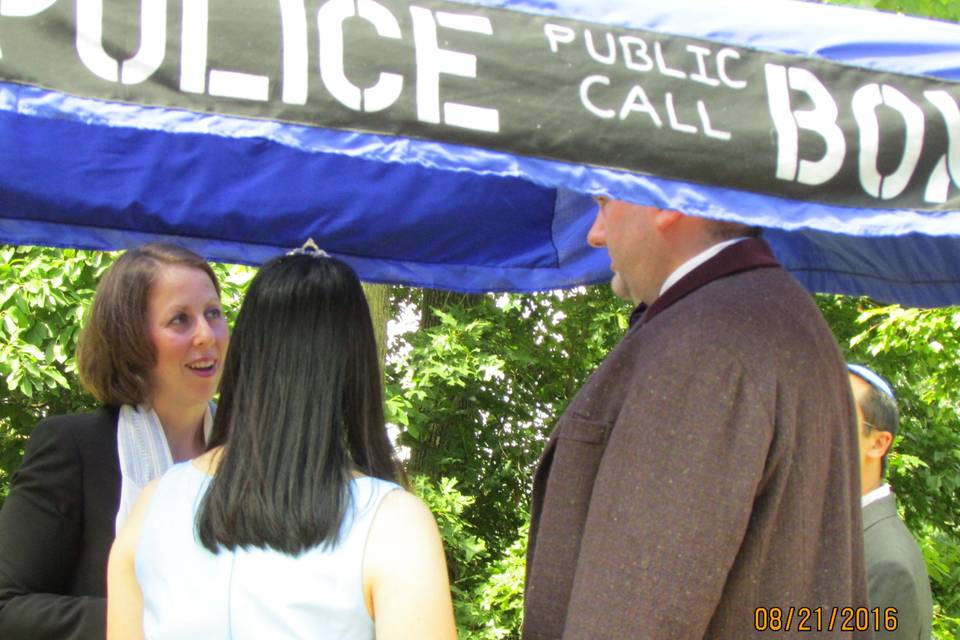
[[676, 484]]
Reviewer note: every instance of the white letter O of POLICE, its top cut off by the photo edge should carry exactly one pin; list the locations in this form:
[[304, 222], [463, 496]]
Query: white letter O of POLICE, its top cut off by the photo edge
[[153, 31]]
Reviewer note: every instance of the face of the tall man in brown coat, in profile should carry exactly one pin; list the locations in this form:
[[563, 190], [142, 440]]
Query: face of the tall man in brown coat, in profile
[[626, 230]]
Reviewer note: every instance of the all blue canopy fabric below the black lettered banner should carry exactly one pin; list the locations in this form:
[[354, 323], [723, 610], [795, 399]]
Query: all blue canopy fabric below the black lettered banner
[[59, 198]]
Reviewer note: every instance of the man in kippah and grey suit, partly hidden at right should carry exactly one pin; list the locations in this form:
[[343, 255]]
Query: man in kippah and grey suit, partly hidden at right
[[896, 573]]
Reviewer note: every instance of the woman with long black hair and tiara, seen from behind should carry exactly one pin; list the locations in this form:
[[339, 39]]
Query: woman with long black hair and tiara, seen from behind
[[293, 524]]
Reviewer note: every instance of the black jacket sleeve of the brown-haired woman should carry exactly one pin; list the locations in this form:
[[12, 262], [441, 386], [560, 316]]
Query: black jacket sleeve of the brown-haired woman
[[40, 540]]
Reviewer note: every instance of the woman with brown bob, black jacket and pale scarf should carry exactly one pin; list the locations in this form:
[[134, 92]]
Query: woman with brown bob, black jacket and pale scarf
[[151, 351]]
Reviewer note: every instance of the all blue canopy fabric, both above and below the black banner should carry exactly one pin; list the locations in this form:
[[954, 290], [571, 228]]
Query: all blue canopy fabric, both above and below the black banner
[[448, 215]]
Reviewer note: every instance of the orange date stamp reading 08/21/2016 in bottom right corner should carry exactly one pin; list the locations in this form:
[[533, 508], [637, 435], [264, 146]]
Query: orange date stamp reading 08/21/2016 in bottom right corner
[[818, 619]]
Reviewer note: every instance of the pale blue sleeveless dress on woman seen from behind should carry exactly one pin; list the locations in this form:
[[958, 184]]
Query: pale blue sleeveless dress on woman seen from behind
[[190, 593]]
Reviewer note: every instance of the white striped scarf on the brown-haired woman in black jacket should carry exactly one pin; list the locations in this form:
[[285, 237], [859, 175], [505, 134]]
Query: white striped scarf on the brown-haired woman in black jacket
[[144, 452]]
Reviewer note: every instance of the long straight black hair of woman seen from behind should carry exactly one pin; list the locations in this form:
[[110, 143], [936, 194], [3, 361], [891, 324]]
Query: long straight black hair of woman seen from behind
[[300, 408]]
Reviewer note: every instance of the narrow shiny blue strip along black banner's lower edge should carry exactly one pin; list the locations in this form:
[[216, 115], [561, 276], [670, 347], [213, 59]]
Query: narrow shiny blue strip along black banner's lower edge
[[713, 202]]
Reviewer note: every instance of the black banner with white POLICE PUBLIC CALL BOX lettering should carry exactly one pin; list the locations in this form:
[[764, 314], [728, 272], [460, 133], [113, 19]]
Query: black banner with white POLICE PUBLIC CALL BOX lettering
[[655, 104]]
